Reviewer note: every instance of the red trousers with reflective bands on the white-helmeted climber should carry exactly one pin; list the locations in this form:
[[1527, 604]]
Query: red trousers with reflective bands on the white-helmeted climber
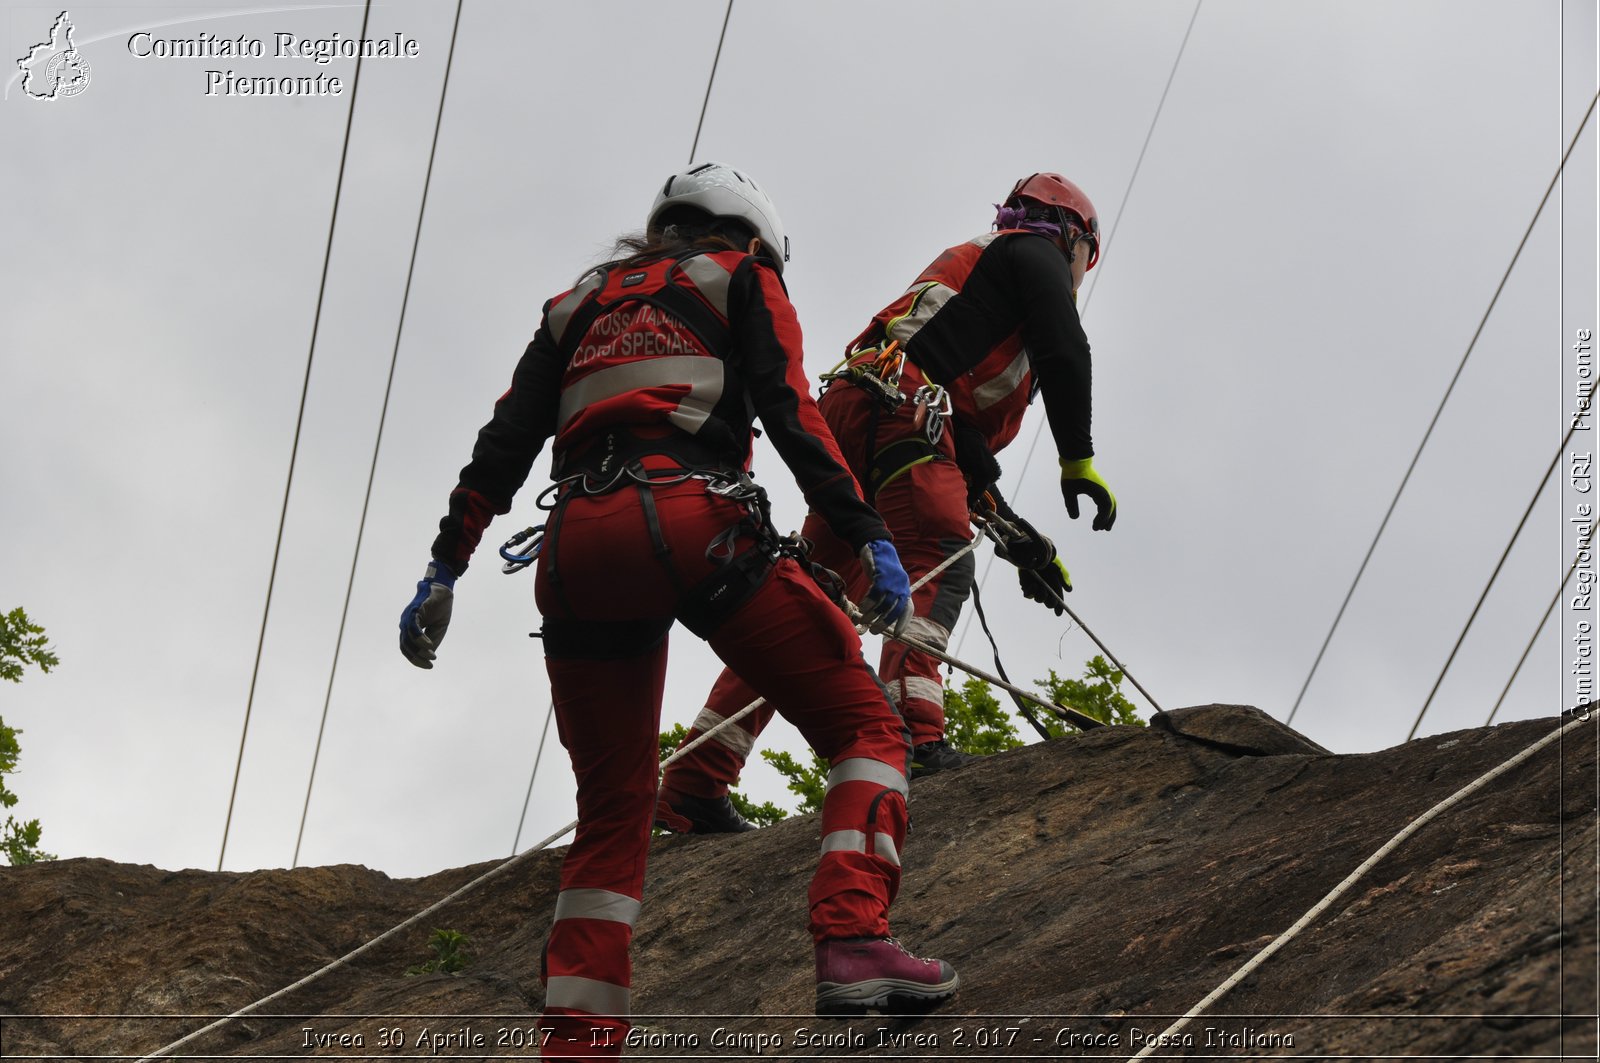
[[614, 574]]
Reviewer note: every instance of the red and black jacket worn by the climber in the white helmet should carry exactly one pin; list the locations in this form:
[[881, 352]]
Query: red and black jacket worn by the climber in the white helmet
[[684, 347]]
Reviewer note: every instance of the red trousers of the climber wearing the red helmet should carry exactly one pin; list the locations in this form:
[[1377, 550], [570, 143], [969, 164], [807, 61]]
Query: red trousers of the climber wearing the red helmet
[[926, 510]]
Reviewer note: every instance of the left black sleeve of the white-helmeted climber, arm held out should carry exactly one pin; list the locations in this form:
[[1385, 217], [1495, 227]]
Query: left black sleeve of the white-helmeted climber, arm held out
[[505, 452]]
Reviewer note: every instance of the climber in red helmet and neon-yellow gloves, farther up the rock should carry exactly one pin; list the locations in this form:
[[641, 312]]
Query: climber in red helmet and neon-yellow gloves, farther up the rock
[[985, 329]]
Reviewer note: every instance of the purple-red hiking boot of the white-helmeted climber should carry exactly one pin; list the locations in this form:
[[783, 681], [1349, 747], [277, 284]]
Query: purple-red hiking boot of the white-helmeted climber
[[860, 974]]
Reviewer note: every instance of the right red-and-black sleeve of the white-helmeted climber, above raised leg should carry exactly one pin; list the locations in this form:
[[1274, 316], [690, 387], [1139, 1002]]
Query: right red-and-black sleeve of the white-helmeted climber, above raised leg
[[769, 358]]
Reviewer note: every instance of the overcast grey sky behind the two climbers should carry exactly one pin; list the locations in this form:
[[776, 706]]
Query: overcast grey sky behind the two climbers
[[1326, 209]]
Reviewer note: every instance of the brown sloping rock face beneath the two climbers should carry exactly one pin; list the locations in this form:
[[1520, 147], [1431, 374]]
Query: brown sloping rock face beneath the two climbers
[[1089, 893]]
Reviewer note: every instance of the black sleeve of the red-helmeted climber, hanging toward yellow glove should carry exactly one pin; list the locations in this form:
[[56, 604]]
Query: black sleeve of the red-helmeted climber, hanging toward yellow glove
[[1057, 345]]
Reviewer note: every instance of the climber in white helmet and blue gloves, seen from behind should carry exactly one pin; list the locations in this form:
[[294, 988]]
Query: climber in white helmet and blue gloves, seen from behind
[[647, 375]]
